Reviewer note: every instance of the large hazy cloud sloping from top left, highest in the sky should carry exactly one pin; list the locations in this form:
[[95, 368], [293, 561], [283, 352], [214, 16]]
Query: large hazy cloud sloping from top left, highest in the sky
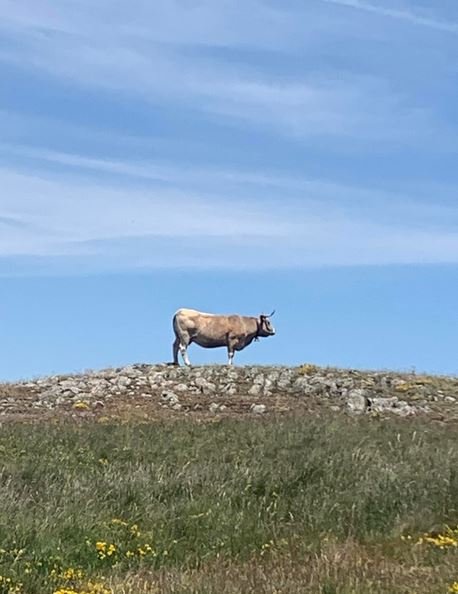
[[141, 53]]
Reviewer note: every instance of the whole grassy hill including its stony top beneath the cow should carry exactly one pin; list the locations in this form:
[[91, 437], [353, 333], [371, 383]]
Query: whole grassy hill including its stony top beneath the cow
[[309, 495]]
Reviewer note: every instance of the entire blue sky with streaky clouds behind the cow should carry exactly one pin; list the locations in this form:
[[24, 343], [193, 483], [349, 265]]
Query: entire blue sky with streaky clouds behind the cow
[[229, 156]]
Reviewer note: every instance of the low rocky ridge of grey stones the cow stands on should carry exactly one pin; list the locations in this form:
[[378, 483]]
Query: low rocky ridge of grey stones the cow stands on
[[152, 391]]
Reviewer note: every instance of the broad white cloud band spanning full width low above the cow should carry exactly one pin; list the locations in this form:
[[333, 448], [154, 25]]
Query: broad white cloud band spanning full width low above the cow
[[112, 225]]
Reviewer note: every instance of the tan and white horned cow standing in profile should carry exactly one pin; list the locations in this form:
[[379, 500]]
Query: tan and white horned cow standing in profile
[[210, 331]]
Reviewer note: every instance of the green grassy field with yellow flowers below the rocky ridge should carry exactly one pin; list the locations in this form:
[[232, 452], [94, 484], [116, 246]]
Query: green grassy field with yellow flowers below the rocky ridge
[[332, 505]]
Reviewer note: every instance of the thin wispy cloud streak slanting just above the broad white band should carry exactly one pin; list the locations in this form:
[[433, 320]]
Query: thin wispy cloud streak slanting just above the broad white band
[[241, 185]]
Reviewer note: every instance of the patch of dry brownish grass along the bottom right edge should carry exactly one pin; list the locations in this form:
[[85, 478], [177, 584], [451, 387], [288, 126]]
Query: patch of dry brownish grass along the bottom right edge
[[338, 568]]
